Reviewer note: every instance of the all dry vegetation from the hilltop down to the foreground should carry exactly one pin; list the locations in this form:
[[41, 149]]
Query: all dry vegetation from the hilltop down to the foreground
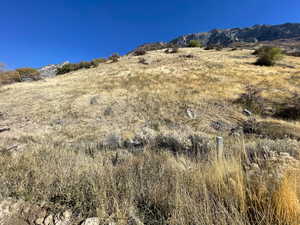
[[96, 141]]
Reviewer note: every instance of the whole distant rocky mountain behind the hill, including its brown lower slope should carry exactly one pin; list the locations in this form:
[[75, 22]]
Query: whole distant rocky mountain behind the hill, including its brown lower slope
[[286, 36]]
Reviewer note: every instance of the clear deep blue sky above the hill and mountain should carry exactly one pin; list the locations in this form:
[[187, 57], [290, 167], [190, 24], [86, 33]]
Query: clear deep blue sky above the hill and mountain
[[40, 32]]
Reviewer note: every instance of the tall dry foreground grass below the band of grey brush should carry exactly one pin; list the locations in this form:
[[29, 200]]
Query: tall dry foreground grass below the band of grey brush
[[156, 186]]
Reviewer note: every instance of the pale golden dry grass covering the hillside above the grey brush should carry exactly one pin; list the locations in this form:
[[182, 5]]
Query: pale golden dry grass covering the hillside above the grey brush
[[137, 94]]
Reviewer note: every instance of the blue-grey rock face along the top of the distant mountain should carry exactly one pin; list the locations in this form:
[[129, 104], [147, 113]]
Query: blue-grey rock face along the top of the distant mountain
[[257, 33]]
